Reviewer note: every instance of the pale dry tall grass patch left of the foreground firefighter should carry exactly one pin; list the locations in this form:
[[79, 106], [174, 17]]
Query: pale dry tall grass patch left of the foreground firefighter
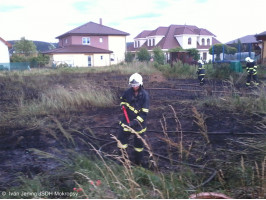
[[58, 99]]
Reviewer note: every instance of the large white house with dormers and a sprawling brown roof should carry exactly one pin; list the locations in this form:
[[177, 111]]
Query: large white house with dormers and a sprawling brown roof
[[174, 36]]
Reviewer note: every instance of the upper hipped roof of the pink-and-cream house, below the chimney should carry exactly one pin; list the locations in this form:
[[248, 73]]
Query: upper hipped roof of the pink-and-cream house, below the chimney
[[92, 28]]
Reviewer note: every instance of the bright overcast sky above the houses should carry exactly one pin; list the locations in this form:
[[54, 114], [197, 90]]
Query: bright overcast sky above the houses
[[44, 20]]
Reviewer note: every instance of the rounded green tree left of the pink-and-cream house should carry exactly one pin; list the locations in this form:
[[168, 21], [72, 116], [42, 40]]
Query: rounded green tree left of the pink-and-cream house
[[25, 47]]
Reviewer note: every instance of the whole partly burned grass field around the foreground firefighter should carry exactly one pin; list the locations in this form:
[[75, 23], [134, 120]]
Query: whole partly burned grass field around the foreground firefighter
[[209, 138]]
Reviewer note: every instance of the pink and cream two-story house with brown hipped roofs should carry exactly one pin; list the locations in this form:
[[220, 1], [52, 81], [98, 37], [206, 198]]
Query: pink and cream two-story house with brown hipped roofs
[[91, 44]]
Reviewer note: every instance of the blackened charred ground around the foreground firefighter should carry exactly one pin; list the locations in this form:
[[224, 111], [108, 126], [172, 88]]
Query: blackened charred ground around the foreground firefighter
[[174, 107]]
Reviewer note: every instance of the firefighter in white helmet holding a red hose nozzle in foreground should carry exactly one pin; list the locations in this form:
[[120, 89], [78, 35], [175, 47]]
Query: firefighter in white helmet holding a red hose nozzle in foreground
[[136, 101]]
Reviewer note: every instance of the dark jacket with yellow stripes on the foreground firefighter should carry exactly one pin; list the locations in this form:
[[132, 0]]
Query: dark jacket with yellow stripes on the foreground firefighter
[[137, 108]]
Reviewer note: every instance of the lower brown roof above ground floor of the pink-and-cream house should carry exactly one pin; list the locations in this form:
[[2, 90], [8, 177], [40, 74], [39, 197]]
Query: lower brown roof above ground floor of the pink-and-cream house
[[78, 49]]
